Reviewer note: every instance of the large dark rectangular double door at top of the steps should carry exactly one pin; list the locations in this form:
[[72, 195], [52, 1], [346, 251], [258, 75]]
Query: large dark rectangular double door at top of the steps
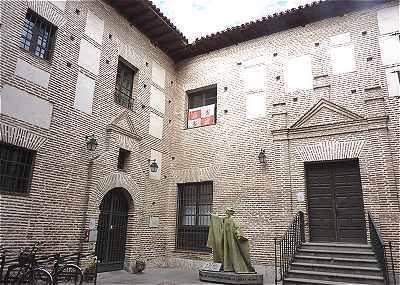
[[335, 202]]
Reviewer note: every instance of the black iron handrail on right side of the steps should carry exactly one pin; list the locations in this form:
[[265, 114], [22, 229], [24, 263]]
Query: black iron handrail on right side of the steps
[[381, 253]]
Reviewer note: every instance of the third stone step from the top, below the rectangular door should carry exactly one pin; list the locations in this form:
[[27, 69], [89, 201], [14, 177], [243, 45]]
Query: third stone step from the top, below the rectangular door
[[362, 262]]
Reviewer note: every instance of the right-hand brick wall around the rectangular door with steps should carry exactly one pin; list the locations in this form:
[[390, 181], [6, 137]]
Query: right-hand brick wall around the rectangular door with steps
[[359, 124]]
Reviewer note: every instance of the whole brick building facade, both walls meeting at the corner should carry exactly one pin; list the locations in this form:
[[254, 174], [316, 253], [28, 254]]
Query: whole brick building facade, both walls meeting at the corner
[[313, 93]]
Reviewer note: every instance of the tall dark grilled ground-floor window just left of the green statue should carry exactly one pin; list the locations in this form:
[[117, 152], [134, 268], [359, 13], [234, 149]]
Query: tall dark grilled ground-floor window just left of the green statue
[[193, 215]]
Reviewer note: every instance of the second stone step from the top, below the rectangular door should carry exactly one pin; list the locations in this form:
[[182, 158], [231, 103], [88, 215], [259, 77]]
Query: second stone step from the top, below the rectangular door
[[337, 253]]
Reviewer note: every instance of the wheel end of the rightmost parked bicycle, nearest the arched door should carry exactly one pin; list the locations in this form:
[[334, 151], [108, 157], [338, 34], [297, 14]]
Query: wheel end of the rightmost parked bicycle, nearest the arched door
[[66, 274]]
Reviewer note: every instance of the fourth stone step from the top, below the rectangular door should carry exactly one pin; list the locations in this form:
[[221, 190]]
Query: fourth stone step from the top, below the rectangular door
[[345, 269]]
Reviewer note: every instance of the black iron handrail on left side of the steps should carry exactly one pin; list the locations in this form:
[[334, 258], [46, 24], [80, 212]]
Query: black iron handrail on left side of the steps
[[288, 245]]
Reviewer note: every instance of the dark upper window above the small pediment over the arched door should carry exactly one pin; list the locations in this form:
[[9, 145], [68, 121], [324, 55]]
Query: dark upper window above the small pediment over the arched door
[[124, 84]]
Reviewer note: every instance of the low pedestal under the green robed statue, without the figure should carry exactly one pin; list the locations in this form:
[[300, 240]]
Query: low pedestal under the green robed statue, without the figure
[[231, 277]]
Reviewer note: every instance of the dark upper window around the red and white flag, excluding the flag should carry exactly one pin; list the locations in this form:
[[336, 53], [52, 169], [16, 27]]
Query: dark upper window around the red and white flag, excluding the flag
[[200, 97]]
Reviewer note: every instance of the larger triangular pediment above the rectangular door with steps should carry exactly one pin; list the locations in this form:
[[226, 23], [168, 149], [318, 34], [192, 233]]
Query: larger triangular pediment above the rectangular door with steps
[[325, 112]]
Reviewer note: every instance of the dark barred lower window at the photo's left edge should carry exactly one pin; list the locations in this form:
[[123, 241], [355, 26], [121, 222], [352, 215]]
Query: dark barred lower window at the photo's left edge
[[16, 166]]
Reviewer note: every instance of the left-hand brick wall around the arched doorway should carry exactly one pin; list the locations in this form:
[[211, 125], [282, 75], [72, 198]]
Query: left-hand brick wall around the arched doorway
[[54, 211]]
